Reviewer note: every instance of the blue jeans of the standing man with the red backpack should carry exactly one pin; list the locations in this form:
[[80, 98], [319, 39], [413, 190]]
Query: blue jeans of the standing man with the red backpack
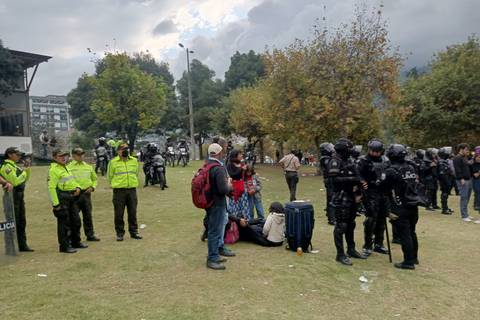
[[217, 217]]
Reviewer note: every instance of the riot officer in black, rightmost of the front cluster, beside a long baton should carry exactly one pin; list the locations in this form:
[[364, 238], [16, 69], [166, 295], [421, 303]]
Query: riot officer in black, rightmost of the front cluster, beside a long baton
[[402, 178]]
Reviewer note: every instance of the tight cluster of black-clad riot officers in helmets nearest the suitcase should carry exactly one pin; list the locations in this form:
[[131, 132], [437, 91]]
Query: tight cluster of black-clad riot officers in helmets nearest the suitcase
[[380, 186]]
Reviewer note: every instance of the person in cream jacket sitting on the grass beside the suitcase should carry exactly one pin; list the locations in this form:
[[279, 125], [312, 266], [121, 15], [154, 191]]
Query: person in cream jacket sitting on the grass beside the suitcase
[[268, 234]]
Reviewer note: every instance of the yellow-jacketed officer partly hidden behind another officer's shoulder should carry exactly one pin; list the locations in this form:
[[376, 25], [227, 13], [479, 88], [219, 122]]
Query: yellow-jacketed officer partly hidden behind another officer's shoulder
[[87, 179]]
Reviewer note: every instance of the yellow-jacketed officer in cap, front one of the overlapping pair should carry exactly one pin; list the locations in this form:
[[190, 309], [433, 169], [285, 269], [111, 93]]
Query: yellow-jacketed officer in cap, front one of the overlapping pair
[[64, 190]]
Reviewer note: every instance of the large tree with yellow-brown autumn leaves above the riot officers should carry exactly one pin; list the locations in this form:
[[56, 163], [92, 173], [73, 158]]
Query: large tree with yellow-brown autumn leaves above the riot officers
[[334, 84]]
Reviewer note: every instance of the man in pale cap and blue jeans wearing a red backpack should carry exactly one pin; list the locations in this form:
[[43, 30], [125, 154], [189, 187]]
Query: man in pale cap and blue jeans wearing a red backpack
[[216, 187]]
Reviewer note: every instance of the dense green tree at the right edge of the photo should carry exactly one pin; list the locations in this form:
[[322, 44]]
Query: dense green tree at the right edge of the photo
[[444, 103]]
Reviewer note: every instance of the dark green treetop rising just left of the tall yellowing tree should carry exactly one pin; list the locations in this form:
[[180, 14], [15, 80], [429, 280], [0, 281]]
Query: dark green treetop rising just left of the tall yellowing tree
[[245, 69]]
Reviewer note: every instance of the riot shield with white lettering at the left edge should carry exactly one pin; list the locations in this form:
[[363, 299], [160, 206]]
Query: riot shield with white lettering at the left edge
[[7, 226]]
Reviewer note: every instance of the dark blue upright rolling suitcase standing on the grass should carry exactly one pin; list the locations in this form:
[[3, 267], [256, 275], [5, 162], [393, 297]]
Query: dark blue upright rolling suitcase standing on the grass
[[300, 220]]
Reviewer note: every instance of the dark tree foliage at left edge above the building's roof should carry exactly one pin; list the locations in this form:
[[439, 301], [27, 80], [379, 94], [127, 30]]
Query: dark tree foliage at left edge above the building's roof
[[12, 72]]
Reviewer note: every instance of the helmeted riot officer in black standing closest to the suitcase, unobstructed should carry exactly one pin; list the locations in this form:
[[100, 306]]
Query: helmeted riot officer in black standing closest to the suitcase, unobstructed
[[344, 178]]
